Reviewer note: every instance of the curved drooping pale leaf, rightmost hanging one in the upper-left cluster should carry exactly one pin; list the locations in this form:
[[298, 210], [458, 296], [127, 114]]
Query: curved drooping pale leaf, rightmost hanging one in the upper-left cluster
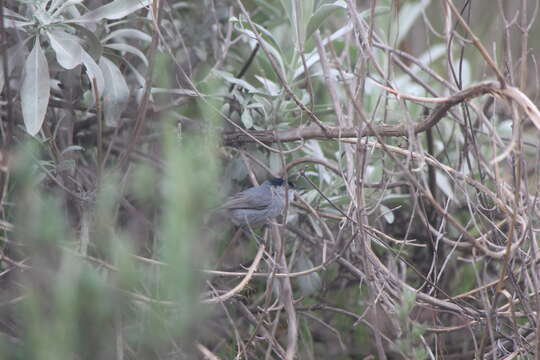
[[115, 94]]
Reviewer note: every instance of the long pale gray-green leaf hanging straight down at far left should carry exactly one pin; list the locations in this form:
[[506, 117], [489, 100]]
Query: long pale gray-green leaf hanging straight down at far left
[[35, 90]]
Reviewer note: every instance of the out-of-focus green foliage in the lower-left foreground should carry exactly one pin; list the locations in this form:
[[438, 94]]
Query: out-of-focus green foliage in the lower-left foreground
[[83, 293]]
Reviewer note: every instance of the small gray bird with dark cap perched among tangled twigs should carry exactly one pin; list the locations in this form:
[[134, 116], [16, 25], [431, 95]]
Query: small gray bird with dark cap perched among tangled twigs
[[258, 204]]
